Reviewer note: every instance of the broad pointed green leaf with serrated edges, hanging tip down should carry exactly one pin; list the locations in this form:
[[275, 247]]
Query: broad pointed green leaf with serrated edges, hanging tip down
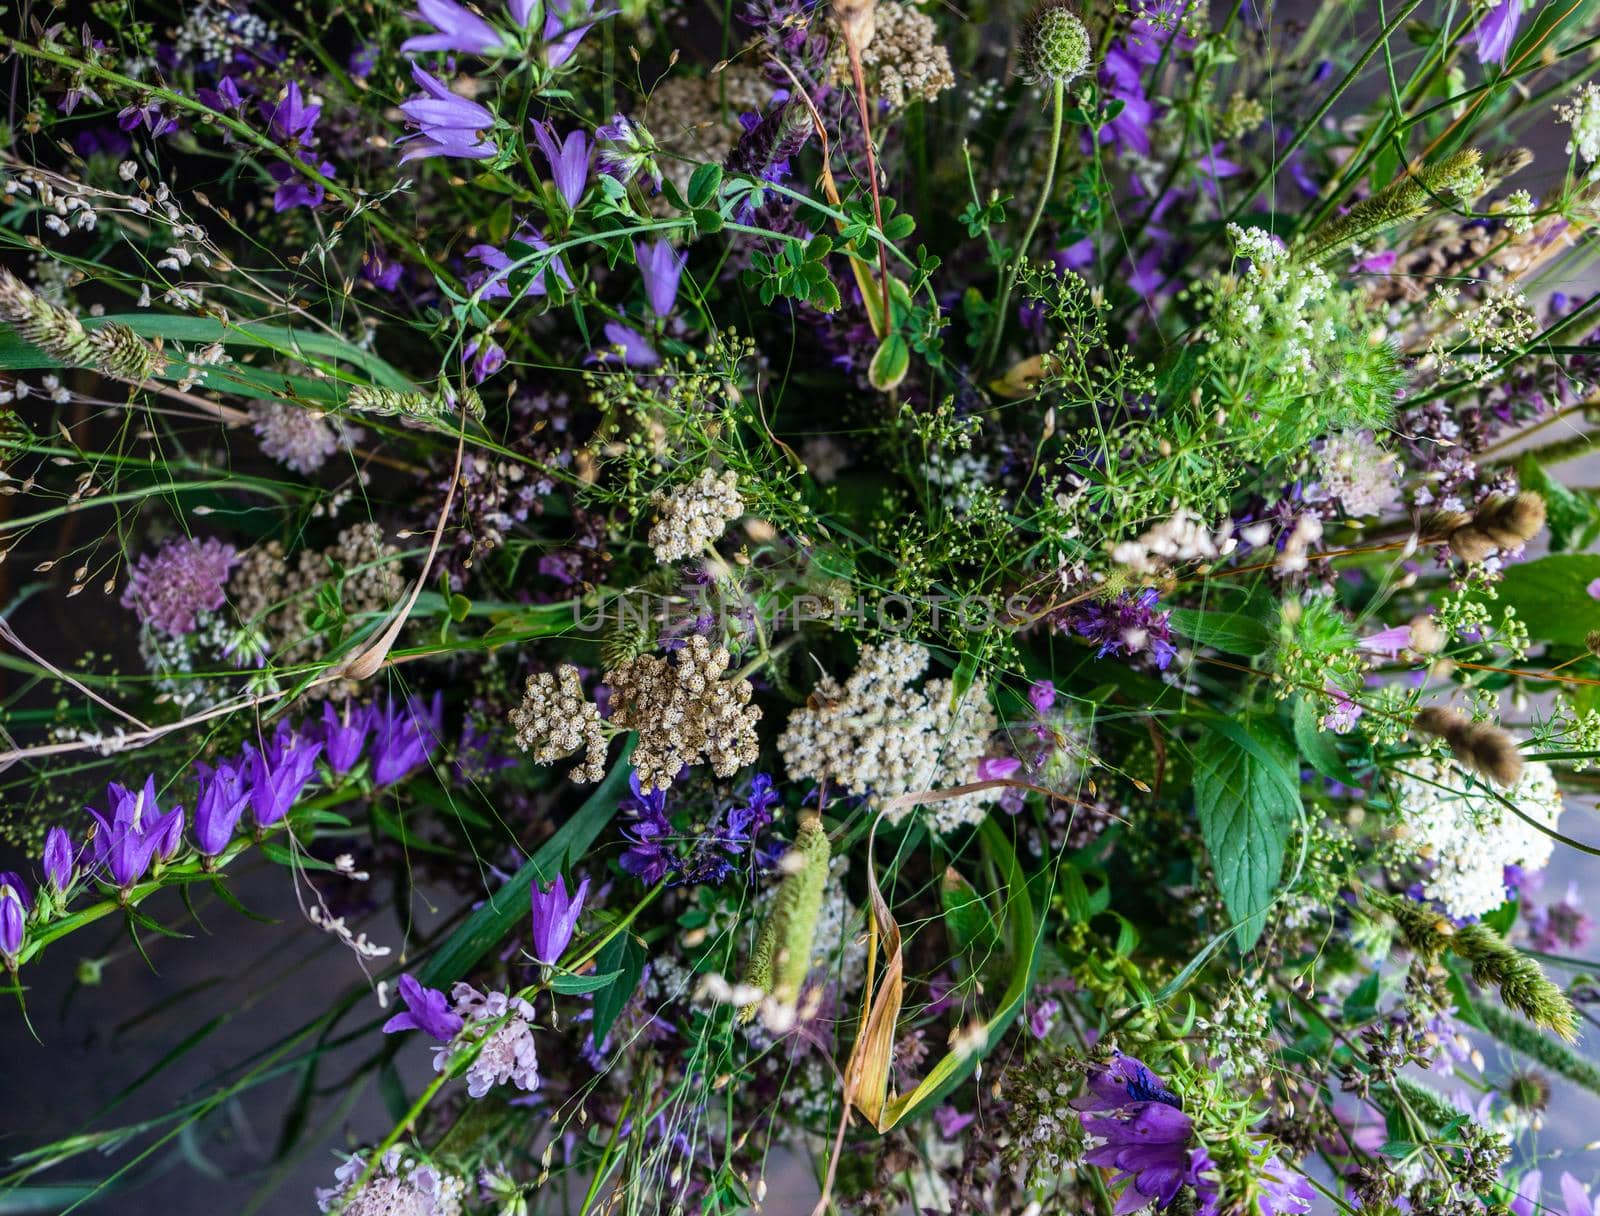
[[1249, 802]]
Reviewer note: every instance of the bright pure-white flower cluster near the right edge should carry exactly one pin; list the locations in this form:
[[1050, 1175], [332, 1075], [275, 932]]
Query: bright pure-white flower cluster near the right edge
[[1466, 838]]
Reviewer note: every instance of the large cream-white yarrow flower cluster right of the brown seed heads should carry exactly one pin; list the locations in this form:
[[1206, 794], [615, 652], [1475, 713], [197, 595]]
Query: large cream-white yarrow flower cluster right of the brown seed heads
[[878, 735]]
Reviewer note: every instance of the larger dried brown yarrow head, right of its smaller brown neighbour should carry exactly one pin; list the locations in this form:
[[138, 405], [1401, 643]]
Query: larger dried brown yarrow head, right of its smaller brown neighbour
[[684, 713]]
